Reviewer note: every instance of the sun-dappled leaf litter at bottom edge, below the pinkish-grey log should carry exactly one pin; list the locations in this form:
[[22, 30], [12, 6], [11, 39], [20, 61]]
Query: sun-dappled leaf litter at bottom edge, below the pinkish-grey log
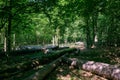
[[65, 72]]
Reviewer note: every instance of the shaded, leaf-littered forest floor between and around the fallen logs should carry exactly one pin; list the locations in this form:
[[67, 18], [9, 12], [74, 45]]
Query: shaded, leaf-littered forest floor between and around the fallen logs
[[65, 72]]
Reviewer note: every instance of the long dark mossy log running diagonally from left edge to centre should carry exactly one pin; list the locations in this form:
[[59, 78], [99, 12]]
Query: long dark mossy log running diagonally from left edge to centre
[[34, 63]]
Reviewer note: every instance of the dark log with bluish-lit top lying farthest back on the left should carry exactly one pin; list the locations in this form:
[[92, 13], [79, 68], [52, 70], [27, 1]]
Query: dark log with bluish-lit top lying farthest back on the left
[[27, 50]]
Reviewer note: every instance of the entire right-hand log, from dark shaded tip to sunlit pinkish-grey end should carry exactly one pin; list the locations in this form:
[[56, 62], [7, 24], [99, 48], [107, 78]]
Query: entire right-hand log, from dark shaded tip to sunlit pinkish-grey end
[[102, 69]]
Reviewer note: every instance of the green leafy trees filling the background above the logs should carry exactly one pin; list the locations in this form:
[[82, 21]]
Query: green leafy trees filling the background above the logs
[[44, 21]]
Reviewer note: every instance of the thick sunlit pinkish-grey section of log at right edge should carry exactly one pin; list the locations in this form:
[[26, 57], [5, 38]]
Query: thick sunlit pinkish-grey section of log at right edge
[[103, 69]]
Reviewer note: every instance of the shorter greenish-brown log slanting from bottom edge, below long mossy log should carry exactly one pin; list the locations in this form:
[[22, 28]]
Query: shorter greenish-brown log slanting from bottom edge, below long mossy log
[[41, 74]]
